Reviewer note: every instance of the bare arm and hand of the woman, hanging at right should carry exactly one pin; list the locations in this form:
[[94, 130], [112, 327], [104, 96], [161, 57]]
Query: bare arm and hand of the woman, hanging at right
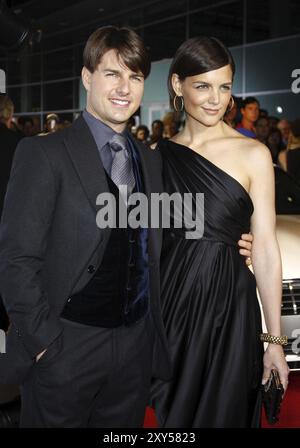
[[266, 258]]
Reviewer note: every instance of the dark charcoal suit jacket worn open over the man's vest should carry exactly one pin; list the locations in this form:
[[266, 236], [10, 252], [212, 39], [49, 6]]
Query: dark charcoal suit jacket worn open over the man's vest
[[49, 239]]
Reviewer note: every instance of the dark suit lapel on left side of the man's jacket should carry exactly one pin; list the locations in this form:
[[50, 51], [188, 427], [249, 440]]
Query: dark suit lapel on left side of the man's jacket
[[85, 156]]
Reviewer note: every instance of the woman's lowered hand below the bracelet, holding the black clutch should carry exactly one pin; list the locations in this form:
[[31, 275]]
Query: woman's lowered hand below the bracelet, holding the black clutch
[[274, 359]]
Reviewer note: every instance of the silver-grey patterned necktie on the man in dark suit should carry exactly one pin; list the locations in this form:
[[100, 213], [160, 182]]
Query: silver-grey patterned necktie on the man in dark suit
[[121, 168]]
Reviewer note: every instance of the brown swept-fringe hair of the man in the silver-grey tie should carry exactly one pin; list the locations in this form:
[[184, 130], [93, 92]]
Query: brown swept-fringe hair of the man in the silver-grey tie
[[128, 45]]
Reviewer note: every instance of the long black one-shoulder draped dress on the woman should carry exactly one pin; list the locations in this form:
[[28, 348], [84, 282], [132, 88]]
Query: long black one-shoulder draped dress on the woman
[[209, 304]]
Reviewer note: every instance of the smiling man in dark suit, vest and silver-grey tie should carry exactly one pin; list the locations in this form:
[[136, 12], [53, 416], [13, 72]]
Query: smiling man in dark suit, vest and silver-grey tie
[[86, 334]]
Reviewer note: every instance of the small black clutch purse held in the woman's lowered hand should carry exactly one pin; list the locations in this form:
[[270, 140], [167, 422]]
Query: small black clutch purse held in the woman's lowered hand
[[272, 394]]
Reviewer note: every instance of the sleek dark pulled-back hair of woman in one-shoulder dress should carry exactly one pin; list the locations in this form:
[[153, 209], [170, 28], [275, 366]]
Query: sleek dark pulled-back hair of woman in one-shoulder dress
[[199, 55]]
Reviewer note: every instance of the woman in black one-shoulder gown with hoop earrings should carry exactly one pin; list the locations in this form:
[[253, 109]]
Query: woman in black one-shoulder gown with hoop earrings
[[209, 303]]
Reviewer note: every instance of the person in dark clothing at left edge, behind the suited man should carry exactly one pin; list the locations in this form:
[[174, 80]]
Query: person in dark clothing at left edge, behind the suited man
[[8, 143]]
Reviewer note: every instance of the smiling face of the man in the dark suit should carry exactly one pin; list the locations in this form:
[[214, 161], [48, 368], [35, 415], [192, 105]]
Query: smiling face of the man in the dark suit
[[114, 92]]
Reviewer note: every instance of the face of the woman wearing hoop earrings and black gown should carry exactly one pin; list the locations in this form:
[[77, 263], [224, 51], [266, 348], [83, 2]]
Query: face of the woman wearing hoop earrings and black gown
[[205, 96]]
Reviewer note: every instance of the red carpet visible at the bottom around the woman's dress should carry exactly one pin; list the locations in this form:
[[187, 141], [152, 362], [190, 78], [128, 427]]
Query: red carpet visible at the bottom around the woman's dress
[[289, 415]]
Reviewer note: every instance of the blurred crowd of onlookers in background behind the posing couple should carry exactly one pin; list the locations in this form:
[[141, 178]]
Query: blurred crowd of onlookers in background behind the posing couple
[[281, 136]]
